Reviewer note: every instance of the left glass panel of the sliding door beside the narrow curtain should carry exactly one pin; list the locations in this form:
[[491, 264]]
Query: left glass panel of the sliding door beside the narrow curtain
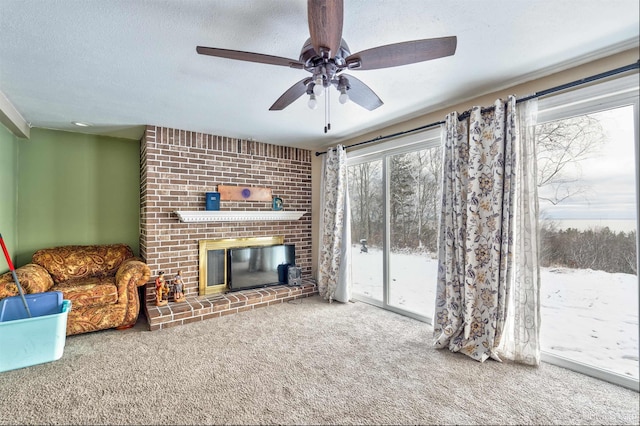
[[366, 201]]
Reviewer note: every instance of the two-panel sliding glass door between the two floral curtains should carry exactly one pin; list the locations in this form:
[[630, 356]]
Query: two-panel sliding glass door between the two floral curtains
[[395, 196]]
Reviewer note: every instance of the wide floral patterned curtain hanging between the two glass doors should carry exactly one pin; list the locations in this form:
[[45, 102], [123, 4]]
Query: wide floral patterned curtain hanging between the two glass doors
[[476, 242]]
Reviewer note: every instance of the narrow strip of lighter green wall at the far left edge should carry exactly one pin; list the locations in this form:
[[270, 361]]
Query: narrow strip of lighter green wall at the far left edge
[[8, 193]]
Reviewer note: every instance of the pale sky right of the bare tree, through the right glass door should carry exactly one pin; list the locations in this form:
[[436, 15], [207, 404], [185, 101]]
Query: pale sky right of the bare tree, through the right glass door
[[609, 176]]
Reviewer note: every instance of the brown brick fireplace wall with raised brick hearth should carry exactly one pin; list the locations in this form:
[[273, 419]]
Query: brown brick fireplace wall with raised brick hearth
[[177, 168]]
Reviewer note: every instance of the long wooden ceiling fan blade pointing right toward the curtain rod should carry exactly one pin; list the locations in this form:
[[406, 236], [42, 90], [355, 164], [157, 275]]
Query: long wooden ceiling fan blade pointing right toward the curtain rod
[[409, 52]]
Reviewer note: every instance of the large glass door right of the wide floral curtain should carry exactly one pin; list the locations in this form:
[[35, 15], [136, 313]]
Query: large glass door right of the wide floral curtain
[[587, 148]]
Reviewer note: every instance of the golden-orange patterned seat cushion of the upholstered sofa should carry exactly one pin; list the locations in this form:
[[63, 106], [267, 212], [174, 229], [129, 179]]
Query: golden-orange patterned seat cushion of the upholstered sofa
[[89, 292]]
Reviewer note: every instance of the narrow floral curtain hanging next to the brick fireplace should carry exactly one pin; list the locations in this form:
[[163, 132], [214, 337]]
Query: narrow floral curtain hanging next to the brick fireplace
[[335, 239]]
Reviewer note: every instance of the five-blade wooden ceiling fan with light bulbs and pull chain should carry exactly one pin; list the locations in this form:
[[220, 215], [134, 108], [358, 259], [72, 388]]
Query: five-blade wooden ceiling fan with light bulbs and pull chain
[[326, 55]]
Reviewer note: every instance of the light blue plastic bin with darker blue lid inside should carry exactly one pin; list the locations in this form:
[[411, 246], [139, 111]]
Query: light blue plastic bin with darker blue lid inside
[[29, 341]]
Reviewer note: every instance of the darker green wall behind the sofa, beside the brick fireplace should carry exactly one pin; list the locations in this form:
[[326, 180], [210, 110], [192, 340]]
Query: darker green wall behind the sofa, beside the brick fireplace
[[75, 188]]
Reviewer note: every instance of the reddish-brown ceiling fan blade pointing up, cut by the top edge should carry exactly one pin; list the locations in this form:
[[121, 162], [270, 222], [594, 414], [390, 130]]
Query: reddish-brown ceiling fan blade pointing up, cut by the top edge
[[325, 24]]
